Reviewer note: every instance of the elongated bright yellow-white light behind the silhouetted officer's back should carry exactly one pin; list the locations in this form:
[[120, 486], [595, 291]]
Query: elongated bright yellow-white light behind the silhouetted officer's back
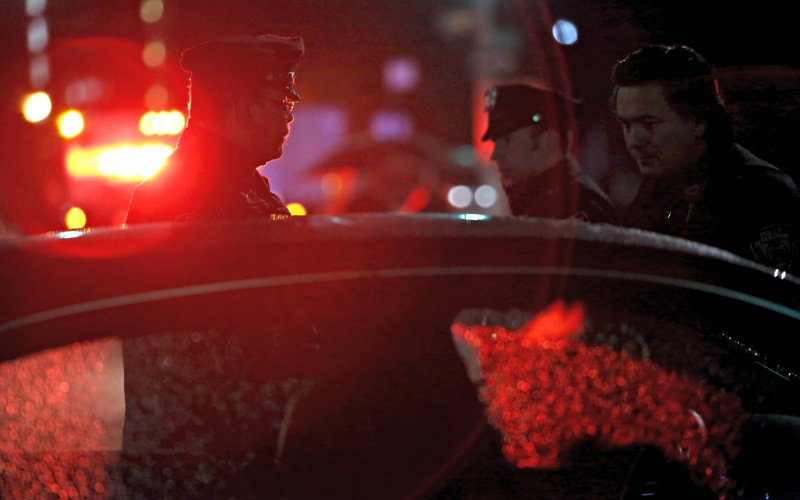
[[119, 162]]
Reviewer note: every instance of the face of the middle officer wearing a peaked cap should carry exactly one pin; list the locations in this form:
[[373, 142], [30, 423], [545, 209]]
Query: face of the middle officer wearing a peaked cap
[[518, 154]]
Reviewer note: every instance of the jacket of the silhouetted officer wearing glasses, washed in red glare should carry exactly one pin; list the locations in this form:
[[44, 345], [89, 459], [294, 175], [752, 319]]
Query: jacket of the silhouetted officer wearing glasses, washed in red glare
[[202, 181]]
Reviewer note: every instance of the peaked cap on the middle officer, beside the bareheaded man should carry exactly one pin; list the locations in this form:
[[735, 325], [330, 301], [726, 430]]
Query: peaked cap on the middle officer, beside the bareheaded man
[[511, 107]]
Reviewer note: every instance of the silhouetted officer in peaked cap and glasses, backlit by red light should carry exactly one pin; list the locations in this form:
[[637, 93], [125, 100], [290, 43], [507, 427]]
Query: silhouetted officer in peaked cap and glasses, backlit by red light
[[241, 98]]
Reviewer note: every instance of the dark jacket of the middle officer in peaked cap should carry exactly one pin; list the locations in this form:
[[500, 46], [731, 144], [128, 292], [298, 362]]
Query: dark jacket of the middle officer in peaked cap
[[561, 192]]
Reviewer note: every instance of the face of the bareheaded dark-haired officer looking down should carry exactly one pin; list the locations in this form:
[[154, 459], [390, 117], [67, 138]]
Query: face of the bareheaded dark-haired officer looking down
[[657, 137]]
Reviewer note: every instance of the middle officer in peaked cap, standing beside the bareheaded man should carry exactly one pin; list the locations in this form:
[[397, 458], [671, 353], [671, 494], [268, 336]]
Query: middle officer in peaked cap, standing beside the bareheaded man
[[533, 142]]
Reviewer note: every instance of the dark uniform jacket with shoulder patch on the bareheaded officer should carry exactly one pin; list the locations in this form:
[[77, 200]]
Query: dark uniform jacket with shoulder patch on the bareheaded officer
[[733, 200]]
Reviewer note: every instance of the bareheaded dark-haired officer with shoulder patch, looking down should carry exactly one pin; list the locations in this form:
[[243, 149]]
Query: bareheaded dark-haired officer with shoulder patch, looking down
[[699, 183]]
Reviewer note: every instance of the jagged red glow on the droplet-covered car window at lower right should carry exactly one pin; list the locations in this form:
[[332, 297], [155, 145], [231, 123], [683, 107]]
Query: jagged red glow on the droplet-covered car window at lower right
[[545, 390]]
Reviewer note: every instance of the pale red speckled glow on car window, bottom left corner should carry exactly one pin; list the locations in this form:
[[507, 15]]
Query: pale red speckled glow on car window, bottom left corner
[[59, 410]]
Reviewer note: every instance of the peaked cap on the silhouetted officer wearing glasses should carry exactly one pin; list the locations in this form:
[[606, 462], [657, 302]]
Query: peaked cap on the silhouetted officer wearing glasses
[[268, 58]]
